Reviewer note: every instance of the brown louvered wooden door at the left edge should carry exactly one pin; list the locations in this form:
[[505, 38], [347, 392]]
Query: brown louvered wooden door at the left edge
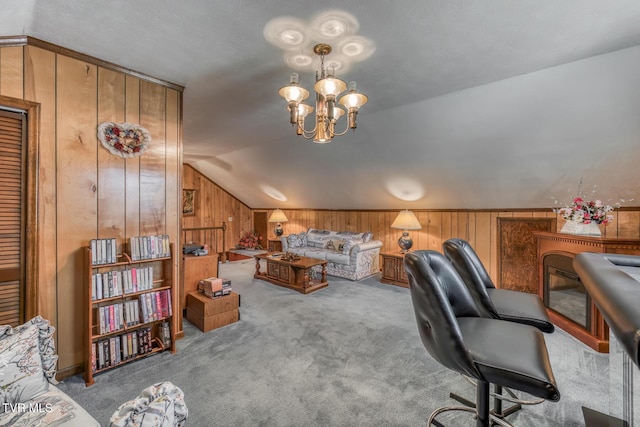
[[12, 216]]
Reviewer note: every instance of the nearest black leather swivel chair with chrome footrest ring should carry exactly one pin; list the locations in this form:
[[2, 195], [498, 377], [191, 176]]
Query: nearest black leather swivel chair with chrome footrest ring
[[454, 331]]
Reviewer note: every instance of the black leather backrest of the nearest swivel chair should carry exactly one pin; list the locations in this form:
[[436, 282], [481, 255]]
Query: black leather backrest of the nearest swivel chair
[[439, 297]]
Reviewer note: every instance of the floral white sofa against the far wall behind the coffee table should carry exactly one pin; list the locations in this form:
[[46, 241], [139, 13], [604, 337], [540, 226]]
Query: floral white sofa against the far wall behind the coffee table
[[353, 256]]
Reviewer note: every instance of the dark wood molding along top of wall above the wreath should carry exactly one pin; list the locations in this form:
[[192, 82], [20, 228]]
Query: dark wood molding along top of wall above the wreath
[[32, 41]]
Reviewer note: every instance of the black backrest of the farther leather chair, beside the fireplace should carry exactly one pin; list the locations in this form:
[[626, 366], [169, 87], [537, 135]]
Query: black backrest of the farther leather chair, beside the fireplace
[[466, 262]]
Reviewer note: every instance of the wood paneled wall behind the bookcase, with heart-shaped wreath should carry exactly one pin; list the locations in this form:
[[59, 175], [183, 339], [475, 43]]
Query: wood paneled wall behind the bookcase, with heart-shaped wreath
[[84, 192]]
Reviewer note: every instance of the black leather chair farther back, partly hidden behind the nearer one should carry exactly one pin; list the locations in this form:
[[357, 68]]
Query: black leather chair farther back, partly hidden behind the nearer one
[[505, 304]]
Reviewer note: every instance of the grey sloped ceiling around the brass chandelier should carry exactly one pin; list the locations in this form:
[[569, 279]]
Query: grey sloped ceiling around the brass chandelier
[[472, 104]]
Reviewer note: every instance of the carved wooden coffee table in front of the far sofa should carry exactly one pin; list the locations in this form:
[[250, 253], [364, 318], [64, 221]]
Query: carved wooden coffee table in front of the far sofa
[[292, 274]]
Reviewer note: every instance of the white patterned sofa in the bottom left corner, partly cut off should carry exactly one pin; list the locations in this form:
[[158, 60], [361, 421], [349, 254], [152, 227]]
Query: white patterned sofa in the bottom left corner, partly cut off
[[27, 380]]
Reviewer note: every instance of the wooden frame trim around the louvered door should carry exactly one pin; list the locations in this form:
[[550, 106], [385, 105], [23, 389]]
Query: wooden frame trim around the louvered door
[[31, 257]]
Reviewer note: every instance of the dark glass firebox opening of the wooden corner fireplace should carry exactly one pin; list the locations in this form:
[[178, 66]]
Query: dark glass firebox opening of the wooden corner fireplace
[[564, 293]]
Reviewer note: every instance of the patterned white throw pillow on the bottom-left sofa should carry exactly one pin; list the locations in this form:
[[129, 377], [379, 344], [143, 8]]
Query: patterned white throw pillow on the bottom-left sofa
[[22, 376]]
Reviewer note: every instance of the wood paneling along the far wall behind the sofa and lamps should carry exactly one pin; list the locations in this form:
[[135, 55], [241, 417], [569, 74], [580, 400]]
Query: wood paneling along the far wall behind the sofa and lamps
[[478, 227]]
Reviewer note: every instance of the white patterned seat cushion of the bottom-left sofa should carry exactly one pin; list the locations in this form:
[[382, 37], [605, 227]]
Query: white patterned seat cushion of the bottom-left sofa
[[53, 408]]
